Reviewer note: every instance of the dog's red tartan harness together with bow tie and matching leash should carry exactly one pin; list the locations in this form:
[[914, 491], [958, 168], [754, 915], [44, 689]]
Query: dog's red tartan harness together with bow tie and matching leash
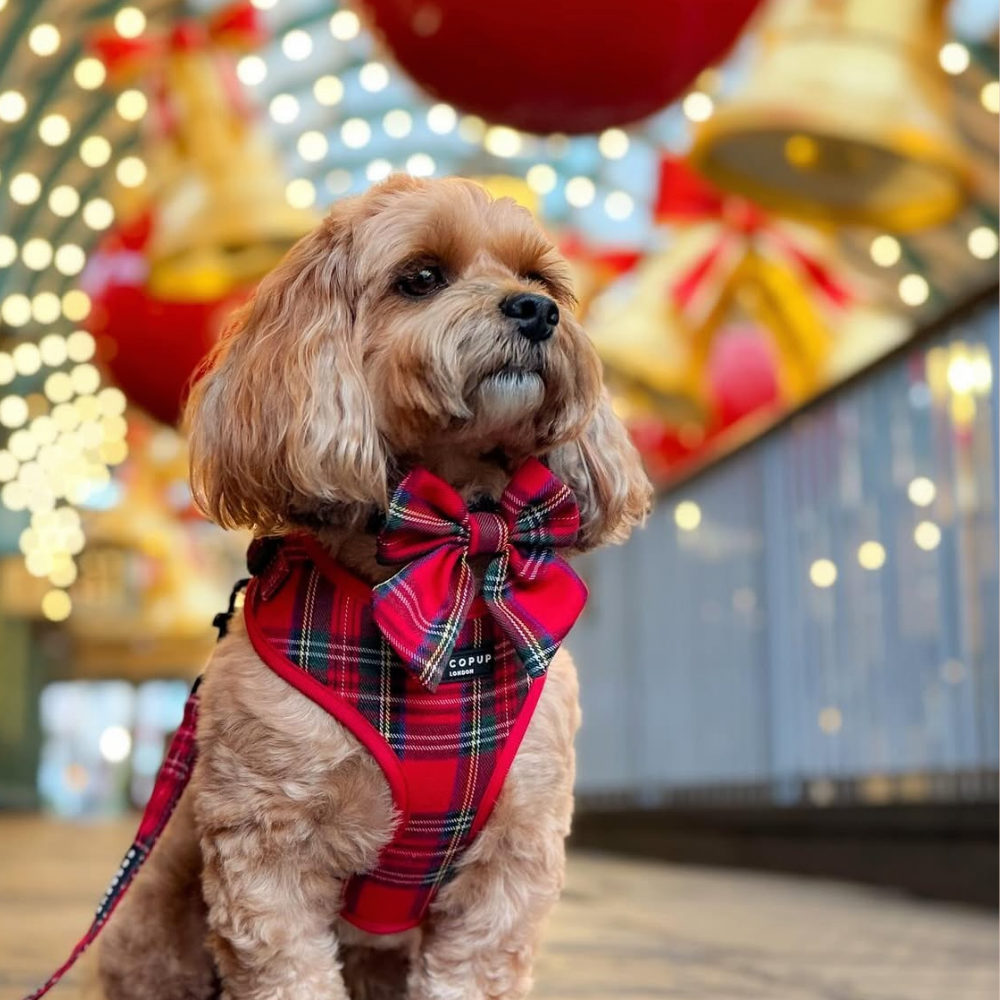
[[437, 681]]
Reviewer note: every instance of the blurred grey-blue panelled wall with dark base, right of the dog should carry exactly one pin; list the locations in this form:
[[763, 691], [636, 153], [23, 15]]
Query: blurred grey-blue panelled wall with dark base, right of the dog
[[806, 640]]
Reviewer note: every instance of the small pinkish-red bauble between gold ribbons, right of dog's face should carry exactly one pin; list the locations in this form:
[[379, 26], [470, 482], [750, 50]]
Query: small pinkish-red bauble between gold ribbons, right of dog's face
[[742, 374]]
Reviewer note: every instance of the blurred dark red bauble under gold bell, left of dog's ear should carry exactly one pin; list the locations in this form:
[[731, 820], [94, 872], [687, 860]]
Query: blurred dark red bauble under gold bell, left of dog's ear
[[152, 347]]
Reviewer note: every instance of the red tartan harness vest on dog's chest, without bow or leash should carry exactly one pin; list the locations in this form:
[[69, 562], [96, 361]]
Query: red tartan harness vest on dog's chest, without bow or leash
[[444, 753]]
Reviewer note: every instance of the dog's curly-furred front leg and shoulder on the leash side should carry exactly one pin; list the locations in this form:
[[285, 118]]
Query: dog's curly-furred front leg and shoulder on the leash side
[[287, 804]]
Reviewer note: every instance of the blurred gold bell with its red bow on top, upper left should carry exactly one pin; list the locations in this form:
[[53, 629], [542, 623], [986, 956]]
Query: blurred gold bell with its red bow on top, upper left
[[222, 219]]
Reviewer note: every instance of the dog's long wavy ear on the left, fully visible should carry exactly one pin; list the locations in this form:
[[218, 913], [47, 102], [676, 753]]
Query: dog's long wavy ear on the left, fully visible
[[282, 422]]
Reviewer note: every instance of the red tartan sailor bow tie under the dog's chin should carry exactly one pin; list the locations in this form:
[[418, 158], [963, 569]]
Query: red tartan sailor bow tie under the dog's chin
[[531, 593]]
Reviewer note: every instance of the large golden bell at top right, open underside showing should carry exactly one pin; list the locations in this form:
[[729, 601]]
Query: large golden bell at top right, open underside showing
[[844, 118]]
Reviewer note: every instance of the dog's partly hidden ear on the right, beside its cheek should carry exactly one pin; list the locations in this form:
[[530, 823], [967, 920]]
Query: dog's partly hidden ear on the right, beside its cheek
[[605, 472]]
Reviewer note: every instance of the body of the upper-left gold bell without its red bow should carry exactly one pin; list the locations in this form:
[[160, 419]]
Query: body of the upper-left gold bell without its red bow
[[222, 217]]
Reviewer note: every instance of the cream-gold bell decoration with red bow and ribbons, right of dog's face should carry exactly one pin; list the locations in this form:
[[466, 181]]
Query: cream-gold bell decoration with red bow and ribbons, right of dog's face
[[734, 319]]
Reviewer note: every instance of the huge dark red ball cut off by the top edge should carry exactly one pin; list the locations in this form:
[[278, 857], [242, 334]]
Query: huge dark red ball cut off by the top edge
[[557, 65]]
